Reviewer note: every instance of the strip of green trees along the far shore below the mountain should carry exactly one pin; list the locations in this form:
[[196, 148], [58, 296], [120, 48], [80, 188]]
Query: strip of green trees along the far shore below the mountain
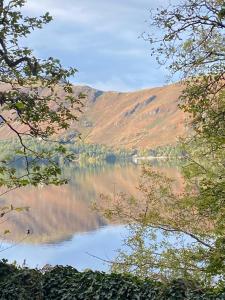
[[83, 154]]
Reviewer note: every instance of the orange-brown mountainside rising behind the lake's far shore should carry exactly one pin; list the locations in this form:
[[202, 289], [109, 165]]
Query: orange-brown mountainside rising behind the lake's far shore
[[141, 119]]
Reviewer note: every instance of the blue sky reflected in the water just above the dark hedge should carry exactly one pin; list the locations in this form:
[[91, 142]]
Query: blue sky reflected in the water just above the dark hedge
[[77, 252]]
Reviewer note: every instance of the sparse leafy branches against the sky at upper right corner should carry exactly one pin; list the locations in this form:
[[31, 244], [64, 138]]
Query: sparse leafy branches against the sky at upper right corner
[[189, 37]]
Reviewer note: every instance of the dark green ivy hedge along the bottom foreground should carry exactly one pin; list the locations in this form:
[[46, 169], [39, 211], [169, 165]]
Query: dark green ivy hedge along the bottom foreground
[[61, 283]]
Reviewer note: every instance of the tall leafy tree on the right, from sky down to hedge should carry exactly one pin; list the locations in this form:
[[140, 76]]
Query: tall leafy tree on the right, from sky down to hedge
[[192, 45]]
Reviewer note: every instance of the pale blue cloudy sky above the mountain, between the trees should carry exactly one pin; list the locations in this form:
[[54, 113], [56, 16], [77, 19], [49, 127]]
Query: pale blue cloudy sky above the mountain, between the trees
[[101, 39]]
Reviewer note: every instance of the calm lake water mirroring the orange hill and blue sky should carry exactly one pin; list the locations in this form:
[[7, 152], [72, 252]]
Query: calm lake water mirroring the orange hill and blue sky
[[64, 228]]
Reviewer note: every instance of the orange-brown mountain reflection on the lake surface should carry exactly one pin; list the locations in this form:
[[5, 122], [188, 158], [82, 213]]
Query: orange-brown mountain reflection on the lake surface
[[56, 213]]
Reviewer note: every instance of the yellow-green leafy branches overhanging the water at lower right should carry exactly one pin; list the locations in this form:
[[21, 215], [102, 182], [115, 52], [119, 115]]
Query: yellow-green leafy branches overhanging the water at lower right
[[168, 238]]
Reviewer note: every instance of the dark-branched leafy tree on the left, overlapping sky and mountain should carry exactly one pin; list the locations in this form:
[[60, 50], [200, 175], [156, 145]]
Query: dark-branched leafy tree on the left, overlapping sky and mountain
[[36, 101]]
